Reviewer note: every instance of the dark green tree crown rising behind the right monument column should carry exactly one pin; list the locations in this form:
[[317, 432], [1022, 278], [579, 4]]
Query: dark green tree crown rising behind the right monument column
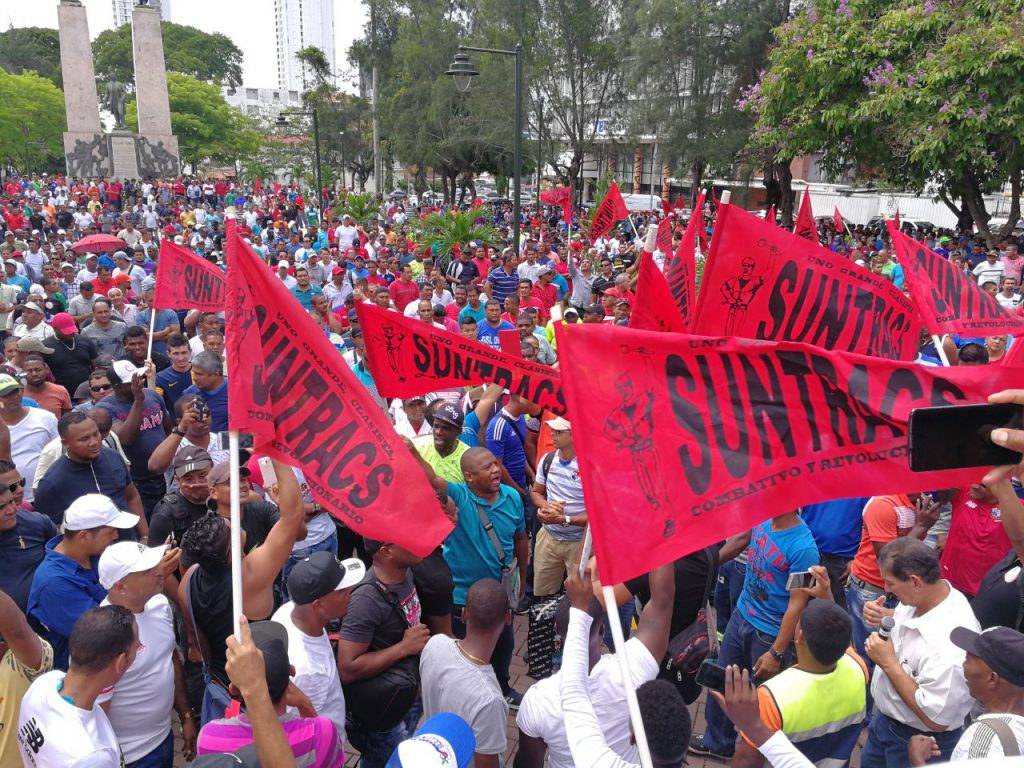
[[187, 51]]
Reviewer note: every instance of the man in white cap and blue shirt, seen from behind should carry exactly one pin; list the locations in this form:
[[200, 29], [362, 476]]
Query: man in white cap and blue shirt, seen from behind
[[67, 583]]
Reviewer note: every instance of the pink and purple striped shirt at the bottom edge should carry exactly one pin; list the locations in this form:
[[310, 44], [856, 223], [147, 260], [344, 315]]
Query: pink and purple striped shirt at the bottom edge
[[315, 742]]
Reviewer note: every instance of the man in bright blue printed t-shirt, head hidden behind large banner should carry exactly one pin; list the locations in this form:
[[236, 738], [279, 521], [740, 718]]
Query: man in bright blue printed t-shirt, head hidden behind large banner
[[761, 630]]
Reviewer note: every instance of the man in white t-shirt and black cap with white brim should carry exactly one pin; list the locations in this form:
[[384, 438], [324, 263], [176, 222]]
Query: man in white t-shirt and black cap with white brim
[[320, 587]]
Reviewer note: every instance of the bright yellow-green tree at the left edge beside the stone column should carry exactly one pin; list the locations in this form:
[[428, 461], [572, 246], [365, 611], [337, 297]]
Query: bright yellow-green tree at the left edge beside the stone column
[[32, 122]]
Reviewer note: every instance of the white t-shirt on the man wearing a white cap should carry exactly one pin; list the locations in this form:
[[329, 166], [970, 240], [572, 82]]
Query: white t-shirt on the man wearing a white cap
[[143, 700]]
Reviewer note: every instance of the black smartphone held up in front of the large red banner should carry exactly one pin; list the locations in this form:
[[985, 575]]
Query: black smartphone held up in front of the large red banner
[[956, 437]]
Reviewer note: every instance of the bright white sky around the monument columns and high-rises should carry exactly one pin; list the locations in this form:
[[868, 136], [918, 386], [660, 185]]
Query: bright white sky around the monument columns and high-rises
[[248, 23]]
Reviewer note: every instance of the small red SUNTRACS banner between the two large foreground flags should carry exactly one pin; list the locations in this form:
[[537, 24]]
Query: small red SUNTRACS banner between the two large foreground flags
[[409, 358]]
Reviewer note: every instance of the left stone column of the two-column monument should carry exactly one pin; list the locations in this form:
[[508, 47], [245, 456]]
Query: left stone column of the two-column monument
[[86, 144]]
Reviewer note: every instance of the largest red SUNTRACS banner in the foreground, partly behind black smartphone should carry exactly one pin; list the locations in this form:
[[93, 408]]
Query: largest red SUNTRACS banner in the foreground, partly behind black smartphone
[[693, 440]]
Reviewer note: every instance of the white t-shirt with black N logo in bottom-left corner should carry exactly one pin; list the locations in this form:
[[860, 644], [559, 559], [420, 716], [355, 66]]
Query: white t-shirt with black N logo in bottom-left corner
[[54, 734]]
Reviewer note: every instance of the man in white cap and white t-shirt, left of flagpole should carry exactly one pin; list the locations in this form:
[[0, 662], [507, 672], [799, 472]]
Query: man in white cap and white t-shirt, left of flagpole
[[140, 704]]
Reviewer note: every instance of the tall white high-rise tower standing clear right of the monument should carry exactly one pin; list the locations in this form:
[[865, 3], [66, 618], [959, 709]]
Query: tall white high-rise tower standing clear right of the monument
[[298, 25]]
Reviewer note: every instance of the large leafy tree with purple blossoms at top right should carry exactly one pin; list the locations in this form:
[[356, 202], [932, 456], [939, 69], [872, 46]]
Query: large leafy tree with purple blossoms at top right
[[919, 94]]
